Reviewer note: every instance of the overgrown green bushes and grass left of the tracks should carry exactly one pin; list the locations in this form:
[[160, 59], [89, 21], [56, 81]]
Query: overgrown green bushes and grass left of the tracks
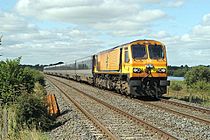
[[23, 95]]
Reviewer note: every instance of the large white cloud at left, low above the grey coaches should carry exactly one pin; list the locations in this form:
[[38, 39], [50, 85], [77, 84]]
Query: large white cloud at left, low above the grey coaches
[[37, 45]]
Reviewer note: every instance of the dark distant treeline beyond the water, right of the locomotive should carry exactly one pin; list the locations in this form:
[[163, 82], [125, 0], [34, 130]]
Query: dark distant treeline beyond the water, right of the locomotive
[[179, 71]]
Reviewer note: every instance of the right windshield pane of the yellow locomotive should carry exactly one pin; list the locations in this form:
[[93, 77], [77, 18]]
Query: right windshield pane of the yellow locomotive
[[156, 52]]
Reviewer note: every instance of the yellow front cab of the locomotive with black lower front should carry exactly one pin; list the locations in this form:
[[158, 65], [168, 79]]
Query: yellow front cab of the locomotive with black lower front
[[146, 66]]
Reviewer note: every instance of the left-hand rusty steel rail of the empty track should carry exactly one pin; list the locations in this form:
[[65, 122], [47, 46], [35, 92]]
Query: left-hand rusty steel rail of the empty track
[[97, 123]]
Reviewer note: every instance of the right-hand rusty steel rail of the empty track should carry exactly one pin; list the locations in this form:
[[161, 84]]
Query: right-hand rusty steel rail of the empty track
[[163, 135]]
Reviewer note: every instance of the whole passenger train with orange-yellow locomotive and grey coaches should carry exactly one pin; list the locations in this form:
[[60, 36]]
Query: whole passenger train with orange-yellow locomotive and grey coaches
[[135, 69]]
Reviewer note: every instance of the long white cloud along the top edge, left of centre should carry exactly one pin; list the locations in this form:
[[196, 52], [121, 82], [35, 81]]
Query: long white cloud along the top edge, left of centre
[[82, 11]]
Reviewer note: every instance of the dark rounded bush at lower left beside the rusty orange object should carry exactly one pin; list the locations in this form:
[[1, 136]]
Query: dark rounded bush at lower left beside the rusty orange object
[[32, 112]]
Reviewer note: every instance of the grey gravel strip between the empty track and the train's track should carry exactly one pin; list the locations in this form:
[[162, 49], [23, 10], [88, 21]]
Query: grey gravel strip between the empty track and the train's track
[[179, 126]]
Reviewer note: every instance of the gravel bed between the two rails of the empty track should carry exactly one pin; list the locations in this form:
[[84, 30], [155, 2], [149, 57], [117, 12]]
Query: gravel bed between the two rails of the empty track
[[119, 125]]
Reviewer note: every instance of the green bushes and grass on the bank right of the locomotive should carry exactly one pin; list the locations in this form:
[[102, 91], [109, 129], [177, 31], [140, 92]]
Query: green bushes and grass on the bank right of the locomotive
[[195, 87]]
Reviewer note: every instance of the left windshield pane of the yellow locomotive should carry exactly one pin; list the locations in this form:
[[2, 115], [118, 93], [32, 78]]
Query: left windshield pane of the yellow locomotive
[[139, 51]]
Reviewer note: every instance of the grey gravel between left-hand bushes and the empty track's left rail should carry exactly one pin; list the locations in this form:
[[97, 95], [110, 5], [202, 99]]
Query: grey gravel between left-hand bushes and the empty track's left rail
[[73, 124]]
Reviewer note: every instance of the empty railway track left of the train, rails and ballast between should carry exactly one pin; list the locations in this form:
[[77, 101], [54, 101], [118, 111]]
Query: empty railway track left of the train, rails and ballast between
[[113, 118]]
